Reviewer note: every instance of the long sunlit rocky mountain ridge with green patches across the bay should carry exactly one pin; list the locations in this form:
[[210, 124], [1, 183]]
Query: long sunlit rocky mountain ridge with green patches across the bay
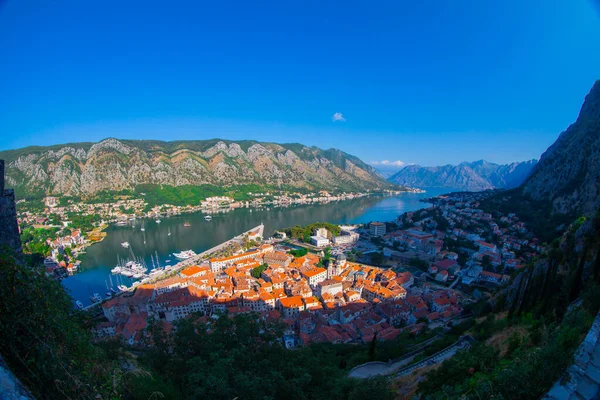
[[112, 164]]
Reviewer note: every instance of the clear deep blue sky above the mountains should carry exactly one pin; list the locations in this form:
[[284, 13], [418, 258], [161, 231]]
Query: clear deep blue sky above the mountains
[[429, 81]]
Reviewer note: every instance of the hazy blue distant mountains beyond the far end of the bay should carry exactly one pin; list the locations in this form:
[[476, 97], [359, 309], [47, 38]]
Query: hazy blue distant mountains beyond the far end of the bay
[[473, 176]]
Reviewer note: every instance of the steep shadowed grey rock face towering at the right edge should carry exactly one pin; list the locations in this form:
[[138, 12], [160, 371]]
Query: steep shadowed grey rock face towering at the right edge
[[568, 173]]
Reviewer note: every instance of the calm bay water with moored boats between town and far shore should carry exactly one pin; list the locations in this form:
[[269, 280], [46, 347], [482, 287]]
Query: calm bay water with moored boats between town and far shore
[[201, 235]]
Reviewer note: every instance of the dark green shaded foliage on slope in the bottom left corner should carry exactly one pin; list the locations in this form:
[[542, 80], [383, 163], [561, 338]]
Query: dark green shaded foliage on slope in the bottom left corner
[[43, 339]]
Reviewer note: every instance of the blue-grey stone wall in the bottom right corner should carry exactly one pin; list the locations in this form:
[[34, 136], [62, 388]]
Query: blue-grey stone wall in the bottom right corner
[[582, 379]]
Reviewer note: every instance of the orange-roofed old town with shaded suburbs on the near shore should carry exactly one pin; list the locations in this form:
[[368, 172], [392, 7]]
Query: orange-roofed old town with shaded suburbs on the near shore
[[433, 263]]
